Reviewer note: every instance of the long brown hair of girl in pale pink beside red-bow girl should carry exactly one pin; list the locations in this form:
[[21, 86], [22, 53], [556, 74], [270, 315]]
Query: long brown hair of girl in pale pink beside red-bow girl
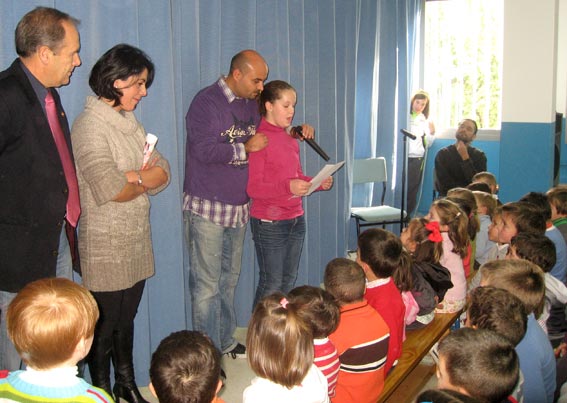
[[453, 217]]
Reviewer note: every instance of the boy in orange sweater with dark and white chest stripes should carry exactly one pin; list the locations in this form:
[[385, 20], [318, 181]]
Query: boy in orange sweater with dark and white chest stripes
[[362, 337]]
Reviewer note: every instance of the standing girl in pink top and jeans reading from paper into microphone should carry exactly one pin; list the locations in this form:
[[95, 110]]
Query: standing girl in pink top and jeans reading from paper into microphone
[[276, 184]]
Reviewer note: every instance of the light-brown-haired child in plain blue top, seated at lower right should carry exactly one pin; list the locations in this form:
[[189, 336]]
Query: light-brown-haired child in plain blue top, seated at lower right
[[526, 281]]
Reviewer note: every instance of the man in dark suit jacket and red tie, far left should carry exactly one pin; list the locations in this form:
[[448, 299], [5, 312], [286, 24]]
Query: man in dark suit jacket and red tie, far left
[[38, 197]]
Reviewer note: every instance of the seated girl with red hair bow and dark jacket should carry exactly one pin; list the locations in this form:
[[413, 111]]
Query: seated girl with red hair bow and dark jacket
[[431, 281]]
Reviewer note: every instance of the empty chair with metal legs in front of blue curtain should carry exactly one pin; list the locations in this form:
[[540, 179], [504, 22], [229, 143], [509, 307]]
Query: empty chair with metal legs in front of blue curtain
[[373, 170]]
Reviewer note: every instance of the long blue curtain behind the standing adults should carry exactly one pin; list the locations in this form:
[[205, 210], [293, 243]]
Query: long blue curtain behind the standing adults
[[348, 59]]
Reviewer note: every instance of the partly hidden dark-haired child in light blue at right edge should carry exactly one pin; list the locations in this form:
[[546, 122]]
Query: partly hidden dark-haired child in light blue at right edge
[[539, 200]]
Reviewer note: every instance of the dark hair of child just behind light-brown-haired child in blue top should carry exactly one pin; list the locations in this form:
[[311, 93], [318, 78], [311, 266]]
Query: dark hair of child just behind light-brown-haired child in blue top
[[536, 248]]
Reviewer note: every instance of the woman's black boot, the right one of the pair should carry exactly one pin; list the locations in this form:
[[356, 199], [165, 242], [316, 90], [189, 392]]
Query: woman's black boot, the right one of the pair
[[125, 386]]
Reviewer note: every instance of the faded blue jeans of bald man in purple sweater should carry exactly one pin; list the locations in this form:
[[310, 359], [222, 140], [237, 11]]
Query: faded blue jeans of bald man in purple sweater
[[215, 255]]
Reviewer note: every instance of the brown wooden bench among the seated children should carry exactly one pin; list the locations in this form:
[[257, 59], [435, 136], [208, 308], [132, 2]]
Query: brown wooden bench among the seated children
[[415, 347]]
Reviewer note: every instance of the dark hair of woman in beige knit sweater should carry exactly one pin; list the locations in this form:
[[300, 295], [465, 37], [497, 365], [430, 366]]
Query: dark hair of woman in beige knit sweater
[[119, 63]]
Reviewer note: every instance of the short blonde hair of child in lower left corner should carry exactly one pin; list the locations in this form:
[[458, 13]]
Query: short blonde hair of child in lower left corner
[[47, 320]]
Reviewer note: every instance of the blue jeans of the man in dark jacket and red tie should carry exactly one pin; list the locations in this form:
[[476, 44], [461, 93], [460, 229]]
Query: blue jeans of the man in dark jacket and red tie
[[9, 357]]
